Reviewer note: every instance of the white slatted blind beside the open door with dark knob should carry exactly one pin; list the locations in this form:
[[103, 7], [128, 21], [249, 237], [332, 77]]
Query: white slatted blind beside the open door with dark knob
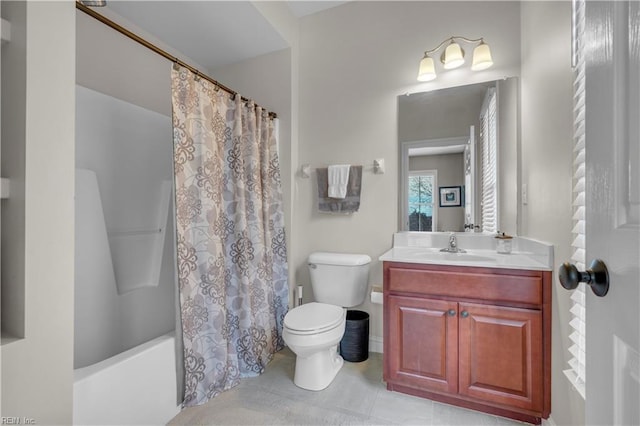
[[576, 371]]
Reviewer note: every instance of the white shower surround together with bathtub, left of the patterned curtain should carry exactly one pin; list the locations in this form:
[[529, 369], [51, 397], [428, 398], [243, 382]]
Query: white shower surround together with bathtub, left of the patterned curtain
[[125, 284]]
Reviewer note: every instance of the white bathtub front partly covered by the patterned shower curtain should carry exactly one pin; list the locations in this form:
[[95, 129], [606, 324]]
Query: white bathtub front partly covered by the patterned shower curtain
[[136, 387]]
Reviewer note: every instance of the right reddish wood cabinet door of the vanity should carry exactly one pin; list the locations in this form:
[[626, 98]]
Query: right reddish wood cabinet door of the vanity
[[501, 355]]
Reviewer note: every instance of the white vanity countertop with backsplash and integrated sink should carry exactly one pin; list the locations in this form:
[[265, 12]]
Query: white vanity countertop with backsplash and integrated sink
[[480, 251]]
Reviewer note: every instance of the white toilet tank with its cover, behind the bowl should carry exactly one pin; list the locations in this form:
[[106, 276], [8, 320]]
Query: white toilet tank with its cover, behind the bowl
[[339, 278]]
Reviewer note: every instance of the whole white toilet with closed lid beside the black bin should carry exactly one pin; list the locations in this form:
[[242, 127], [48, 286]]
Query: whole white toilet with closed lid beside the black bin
[[314, 330]]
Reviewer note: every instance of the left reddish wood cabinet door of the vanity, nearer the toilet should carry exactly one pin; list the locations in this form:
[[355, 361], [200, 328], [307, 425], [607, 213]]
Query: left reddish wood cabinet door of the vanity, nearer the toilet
[[423, 335]]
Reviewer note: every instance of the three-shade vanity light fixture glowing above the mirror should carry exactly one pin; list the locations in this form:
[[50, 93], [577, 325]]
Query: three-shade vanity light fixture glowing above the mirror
[[453, 57]]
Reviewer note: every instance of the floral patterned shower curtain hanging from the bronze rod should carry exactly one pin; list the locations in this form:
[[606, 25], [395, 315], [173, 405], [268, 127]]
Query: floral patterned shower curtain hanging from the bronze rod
[[232, 267]]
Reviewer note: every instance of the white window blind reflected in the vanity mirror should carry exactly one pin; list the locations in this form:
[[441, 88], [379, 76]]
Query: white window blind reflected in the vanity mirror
[[489, 148]]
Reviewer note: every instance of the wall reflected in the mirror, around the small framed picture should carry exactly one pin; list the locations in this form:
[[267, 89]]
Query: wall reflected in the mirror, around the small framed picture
[[450, 169]]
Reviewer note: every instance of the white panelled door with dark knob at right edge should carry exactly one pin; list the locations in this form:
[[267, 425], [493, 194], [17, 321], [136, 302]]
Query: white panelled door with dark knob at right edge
[[613, 210]]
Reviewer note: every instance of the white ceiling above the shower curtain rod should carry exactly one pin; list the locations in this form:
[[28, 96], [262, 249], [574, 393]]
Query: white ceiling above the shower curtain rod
[[212, 33]]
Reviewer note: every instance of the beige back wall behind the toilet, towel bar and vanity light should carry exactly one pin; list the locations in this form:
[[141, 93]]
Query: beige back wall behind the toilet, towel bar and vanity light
[[355, 60]]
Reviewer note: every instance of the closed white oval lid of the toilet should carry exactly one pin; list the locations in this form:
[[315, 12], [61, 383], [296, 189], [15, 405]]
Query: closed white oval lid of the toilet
[[313, 317]]
